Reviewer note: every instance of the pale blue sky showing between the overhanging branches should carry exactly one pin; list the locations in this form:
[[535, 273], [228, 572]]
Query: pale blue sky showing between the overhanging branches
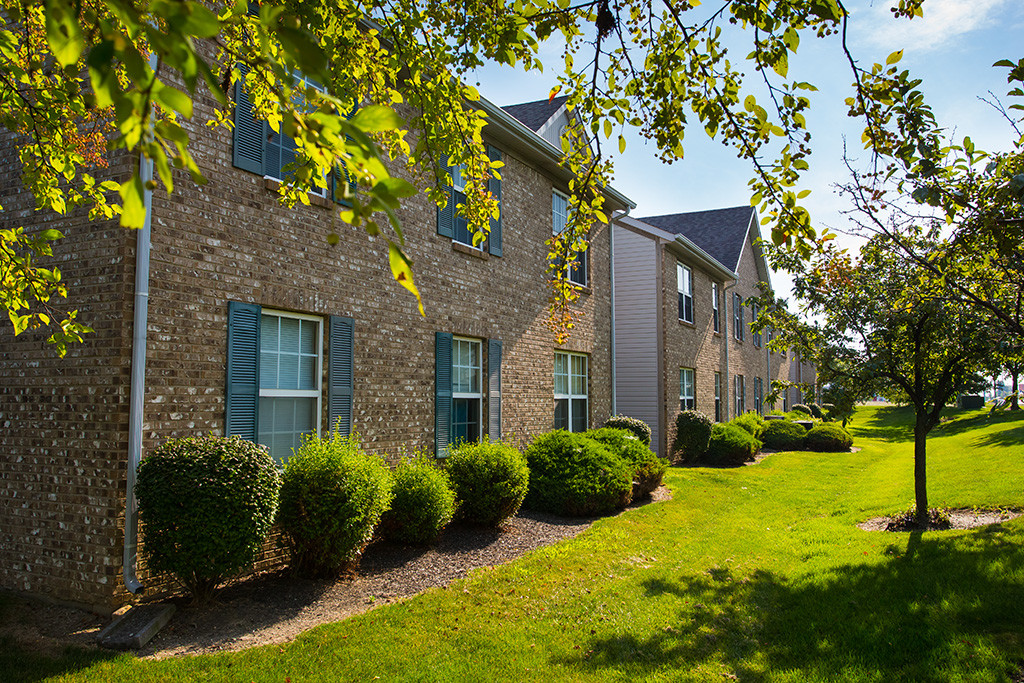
[[952, 49]]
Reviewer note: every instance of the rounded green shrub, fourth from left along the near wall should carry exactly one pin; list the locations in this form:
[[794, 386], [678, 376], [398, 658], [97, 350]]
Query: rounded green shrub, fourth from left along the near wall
[[490, 479]]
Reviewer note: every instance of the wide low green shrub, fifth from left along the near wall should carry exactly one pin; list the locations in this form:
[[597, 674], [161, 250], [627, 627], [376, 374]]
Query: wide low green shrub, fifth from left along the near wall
[[571, 475]]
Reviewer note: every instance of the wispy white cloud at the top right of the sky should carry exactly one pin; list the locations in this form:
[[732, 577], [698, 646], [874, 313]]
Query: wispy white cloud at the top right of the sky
[[944, 21]]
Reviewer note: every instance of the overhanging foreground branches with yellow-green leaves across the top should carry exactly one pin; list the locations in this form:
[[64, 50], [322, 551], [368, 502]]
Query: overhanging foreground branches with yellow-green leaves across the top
[[78, 73]]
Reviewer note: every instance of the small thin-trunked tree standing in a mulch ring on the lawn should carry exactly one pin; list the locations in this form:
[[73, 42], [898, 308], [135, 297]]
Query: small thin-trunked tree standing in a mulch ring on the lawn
[[883, 329]]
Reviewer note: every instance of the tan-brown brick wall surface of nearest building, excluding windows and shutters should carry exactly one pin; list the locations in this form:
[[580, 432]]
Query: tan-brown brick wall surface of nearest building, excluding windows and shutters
[[64, 448]]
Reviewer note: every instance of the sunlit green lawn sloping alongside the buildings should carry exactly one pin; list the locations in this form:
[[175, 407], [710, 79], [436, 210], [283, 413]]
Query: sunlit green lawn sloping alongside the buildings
[[756, 573]]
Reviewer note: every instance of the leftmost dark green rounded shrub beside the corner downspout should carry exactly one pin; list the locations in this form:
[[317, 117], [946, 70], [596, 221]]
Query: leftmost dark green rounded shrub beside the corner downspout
[[206, 504]]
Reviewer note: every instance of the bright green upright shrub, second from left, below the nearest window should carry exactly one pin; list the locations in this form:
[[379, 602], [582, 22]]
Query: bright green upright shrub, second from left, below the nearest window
[[332, 498]]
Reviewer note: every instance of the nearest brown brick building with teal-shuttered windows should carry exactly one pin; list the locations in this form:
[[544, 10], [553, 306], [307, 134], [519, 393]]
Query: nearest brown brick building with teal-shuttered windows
[[236, 316]]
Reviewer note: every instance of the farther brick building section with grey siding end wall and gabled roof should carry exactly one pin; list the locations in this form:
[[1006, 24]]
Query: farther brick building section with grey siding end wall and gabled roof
[[684, 338]]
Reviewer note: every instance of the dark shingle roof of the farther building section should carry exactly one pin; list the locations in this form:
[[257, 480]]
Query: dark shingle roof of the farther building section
[[721, 233]]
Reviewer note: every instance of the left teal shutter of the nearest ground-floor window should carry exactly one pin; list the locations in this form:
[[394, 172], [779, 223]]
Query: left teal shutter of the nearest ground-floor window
[[242, 396]]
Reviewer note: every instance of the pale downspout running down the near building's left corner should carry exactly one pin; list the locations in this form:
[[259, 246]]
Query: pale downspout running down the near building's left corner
[[138, 392]]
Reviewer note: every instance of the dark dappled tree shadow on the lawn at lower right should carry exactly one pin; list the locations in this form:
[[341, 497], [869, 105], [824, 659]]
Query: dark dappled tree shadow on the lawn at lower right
[[924, 610]]
